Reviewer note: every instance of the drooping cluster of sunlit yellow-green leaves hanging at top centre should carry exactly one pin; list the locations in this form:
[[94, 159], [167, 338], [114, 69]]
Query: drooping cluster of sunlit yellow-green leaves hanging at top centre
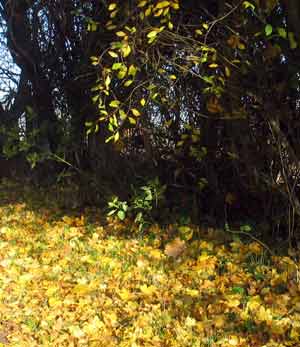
[[115, 66]]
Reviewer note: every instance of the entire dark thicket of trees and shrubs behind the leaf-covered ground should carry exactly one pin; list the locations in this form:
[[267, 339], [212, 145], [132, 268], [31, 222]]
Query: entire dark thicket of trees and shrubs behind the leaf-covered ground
[[202, 94]]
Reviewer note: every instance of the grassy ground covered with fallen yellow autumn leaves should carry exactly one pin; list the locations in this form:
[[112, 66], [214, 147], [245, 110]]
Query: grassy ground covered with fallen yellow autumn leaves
[[70, 279]]
